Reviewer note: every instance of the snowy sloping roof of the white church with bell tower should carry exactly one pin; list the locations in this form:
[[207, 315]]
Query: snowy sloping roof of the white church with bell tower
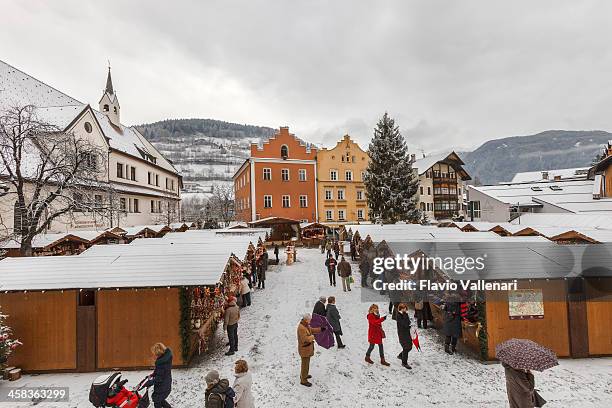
[[58, 109]]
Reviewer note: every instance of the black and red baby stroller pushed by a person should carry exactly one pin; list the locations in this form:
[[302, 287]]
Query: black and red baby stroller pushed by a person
[[109, 391]]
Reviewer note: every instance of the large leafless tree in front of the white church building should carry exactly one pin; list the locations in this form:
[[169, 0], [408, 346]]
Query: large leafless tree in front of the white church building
[[52, 175]]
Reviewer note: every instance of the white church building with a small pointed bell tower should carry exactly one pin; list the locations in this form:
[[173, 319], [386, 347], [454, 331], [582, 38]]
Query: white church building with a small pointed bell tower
[[147, 184]]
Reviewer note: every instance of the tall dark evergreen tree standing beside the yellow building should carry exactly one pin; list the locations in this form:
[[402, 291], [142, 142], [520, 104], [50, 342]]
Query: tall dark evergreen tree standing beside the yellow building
[[390, 182]]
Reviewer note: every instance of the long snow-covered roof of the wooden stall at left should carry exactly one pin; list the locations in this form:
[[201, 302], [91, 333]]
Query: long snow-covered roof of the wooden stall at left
[[155, 262]]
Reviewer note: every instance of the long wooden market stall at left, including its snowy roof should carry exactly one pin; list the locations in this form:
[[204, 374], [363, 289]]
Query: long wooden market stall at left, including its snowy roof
[[104, 309]]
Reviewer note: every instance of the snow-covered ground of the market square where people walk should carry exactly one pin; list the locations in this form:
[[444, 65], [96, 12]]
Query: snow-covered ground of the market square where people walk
[[341, 378]]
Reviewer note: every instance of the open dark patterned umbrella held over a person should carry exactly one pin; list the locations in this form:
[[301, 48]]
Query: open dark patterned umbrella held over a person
[[524, 354]]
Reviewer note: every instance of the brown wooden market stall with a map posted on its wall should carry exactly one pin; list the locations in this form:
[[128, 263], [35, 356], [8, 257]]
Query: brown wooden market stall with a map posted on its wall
[[554, 294]]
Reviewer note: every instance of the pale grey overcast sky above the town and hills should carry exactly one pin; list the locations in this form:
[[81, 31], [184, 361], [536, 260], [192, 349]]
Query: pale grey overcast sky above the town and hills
[[452, 73]]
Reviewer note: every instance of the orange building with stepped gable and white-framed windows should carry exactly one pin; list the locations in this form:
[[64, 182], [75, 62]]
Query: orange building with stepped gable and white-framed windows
[[278, 180]]
